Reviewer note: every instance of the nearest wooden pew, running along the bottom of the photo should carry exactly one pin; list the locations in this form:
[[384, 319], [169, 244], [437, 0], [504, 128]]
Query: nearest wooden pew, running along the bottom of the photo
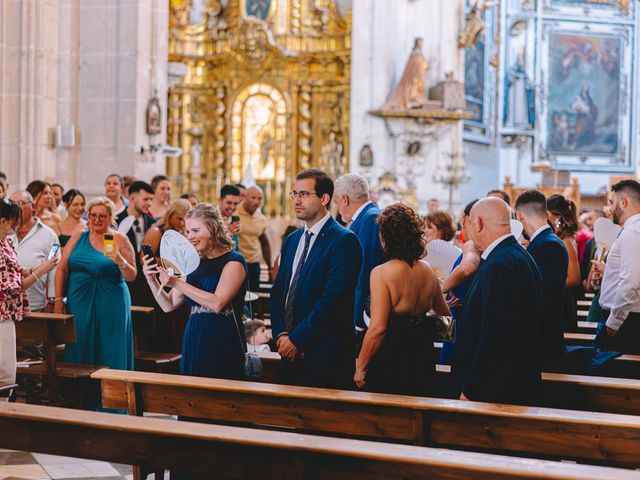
[[240, 453]]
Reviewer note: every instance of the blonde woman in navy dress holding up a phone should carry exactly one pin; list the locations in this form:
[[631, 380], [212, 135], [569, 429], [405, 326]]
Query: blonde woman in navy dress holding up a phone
[[214, 341]]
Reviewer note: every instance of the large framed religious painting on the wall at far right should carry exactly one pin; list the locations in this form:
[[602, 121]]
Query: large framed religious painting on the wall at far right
[[586, 96]]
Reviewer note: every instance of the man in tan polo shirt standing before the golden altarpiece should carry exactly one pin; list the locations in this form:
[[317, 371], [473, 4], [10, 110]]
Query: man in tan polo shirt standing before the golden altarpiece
[[253, 241]]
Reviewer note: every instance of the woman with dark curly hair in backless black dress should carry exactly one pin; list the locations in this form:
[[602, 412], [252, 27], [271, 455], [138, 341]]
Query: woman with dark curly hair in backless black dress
[[397, 354]]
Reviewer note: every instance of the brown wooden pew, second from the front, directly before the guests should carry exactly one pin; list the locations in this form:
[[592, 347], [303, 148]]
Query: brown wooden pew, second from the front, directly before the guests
[[597, 437]]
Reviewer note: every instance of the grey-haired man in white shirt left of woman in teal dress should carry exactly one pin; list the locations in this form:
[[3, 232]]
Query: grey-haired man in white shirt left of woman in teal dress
[[33, 243]]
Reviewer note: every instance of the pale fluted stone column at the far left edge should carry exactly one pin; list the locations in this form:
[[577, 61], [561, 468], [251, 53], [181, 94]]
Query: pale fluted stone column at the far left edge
[[28, 83]]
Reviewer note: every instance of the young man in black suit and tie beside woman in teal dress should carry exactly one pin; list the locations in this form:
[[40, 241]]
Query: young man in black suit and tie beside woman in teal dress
[[140, 199]]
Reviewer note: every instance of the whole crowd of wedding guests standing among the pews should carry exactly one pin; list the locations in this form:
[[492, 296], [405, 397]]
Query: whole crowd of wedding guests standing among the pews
[[354, 302]]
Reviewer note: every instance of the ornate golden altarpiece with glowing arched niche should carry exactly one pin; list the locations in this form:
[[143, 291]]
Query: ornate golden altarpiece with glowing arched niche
[[265, 94]]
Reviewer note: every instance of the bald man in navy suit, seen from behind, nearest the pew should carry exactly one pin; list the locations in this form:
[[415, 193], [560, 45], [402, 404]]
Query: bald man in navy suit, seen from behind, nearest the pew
[[497, 341]]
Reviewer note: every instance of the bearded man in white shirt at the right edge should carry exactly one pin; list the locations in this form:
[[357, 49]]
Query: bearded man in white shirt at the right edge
[[620, 290]]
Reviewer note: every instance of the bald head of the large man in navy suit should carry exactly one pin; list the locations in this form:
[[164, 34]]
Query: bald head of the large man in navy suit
[[490, 219]]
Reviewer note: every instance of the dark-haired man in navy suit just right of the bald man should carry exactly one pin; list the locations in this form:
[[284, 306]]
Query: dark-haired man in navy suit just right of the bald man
[[552, 259]]
